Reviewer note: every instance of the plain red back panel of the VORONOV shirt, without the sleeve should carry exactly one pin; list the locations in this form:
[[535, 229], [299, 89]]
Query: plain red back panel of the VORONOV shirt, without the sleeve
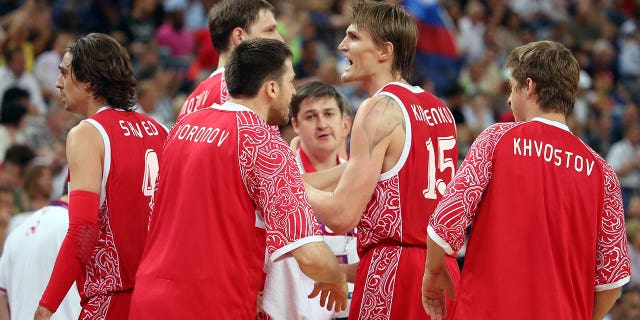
[[202, 205]]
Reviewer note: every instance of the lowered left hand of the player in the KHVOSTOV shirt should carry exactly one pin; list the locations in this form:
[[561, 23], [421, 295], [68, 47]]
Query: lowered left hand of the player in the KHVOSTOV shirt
[[434, 287]]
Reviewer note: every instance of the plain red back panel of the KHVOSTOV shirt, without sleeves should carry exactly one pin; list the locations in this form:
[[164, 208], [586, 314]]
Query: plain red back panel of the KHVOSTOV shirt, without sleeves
[[532, 246]]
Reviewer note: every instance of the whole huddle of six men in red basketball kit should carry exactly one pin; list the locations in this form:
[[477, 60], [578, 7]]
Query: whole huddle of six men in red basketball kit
[[220, 218]]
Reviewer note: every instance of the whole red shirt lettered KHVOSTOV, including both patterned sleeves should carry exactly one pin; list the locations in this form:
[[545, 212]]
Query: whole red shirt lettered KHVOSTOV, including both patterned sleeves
[[547, 224]]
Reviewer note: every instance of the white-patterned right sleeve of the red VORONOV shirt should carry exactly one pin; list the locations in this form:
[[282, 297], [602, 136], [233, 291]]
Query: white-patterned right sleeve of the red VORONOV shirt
[[272, 178]]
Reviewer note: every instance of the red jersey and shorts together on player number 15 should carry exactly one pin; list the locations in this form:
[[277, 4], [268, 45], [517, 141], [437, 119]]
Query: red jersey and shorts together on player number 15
[[392, 230]]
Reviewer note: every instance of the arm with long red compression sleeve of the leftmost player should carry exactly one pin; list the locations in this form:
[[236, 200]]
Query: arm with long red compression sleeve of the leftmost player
[[85, 152]]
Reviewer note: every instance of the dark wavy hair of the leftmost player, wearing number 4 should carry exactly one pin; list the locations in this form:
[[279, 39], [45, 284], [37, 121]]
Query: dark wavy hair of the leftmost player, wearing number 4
[[100, 61]]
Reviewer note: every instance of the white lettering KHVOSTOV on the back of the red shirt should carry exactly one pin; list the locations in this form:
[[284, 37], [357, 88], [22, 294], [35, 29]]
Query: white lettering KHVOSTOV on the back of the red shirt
[[550, 153]]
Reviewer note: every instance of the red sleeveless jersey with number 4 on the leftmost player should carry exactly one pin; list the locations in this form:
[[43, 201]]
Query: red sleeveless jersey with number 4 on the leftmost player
[[133, 146]]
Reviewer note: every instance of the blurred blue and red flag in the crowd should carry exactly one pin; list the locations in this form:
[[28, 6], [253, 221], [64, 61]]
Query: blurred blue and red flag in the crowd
[[437, 55]]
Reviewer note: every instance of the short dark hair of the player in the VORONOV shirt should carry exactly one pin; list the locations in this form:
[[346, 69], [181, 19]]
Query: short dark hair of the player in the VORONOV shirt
[[252, 63]]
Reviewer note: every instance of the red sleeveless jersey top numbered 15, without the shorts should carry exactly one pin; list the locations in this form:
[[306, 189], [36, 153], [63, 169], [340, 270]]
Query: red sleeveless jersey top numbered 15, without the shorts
[[406, 195]]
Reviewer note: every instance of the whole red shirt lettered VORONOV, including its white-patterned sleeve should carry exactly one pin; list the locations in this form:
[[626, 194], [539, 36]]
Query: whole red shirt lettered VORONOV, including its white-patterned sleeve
[[225, 177]]
